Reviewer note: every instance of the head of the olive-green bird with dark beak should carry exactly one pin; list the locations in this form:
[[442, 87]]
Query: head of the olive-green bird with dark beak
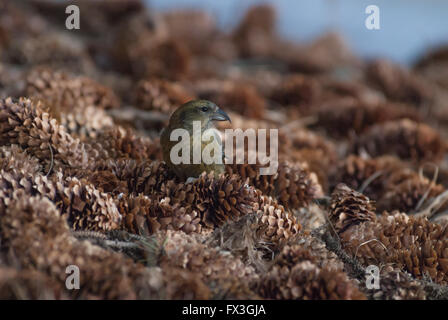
[[197, 110]]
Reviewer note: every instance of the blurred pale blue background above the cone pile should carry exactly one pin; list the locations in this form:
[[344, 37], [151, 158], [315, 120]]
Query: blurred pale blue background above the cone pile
[[408, 27]]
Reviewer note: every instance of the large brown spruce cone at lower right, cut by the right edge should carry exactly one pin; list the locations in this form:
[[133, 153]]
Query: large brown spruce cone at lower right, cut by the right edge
[[415, 244]]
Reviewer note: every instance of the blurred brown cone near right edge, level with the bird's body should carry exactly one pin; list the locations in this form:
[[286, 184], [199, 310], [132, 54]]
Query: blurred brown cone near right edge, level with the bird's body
[[406, 139]]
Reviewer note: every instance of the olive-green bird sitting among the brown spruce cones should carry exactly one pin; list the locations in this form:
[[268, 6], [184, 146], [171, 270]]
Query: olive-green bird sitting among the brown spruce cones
[[183, 118]]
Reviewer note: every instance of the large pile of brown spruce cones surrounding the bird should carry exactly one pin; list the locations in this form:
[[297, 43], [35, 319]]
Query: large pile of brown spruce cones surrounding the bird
[[361, 178]]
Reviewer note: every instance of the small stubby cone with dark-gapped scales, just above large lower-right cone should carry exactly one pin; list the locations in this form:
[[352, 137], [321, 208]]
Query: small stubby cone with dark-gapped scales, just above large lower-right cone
[[349, 208]]
